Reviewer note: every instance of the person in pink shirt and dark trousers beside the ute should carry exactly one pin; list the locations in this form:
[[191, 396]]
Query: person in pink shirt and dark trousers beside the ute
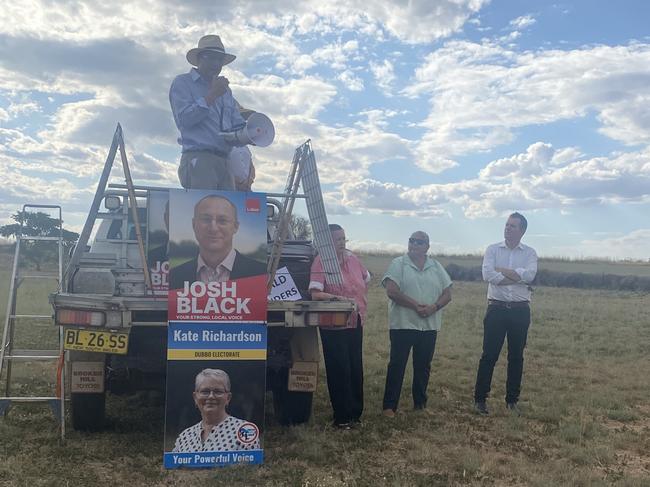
[[342, 346]]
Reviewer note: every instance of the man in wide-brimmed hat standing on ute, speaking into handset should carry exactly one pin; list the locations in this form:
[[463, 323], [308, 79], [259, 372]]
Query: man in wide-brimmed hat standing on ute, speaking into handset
[[203, 108]]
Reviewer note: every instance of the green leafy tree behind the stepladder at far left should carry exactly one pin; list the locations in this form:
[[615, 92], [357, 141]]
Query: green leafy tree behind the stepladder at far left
[[38, 224]]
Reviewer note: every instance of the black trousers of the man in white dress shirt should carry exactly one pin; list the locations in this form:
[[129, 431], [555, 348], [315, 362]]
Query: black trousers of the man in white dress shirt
[[501, 322]]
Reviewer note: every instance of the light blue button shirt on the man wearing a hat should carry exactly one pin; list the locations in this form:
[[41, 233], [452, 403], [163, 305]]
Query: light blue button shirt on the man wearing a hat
[[199, 123]]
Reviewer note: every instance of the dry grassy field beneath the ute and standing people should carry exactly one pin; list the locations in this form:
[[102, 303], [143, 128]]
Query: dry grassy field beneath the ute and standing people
[[586, 421]]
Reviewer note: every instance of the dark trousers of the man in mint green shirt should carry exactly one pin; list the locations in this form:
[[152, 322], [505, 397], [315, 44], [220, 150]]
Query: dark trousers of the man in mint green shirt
[[401, 342]]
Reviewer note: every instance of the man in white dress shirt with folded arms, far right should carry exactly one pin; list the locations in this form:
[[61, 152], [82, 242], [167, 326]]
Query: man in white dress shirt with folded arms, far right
[[509, 267]]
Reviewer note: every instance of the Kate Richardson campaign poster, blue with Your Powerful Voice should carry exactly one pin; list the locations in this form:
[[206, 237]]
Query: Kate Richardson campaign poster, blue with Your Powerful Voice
[[214, 415]]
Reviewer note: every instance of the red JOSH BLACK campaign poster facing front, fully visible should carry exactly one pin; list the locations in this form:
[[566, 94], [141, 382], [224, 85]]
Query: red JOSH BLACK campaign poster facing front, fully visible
[[217, 256]]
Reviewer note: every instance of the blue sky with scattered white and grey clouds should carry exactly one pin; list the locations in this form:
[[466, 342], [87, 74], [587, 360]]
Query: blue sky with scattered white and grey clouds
[[436, 115]]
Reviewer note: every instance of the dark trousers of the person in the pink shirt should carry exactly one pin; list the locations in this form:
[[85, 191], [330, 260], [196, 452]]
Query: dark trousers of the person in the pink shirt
[[342, 351]]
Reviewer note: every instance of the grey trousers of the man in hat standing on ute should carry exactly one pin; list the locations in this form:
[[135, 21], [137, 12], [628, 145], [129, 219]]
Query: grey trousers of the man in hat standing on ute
[[204, 170]]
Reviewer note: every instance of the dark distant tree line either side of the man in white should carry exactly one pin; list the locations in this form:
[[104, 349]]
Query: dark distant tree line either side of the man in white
[[580, 280]]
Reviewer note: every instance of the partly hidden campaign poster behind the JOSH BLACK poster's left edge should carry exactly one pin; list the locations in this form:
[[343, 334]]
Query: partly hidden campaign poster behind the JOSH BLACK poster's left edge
[[158, 240]]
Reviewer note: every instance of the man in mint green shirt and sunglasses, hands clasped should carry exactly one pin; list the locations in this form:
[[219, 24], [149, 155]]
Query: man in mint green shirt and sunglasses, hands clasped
[[418, 287]]
